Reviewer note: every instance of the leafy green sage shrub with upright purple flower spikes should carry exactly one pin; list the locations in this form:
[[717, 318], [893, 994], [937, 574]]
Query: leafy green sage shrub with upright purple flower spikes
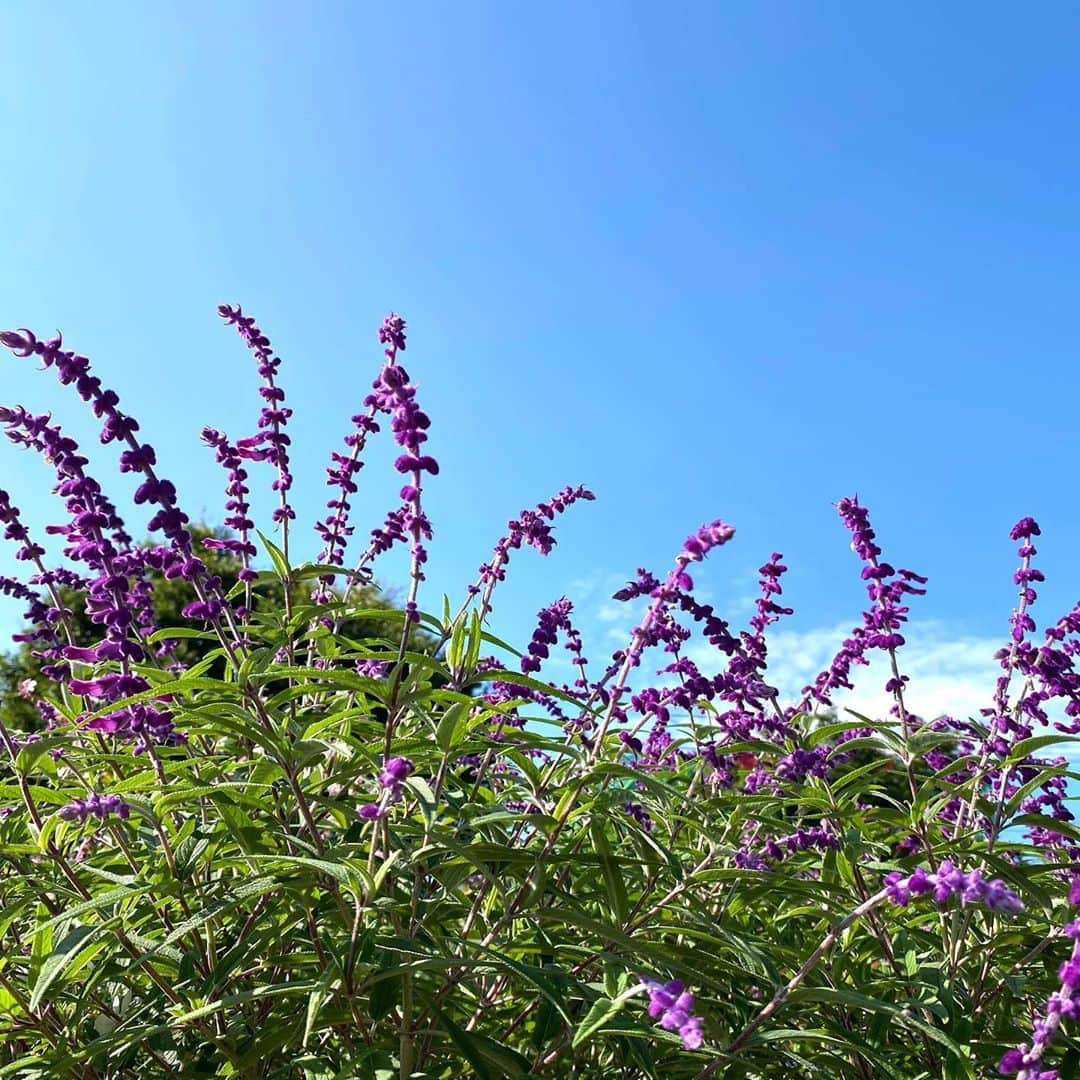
[[423, 854]]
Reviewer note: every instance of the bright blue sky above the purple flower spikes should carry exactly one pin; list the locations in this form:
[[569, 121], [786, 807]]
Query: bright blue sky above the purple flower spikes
[[711, 260]]
